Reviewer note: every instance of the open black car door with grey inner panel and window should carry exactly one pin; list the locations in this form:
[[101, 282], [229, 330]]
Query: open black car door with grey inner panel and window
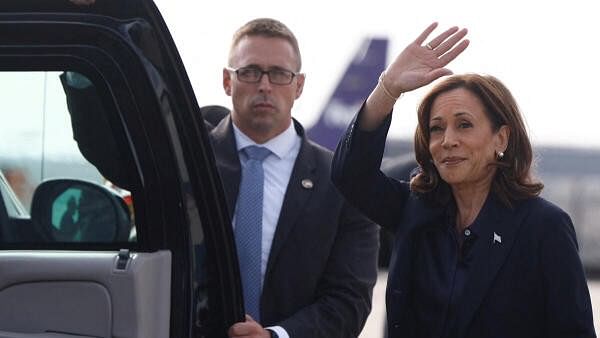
[[126, 232]]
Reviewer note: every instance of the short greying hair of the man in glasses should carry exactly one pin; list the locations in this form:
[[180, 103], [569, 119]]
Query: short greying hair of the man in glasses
[[269, 28]]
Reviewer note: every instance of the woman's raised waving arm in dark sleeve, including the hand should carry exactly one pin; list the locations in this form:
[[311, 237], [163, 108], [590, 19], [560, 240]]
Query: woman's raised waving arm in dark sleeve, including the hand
[[356, 166]]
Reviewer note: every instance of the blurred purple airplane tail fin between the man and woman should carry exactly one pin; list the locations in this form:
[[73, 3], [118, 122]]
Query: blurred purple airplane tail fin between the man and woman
[[357, 82]]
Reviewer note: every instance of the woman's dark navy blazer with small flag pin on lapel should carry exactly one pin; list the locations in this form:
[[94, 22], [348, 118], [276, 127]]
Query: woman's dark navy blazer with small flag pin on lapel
[[526, 280]]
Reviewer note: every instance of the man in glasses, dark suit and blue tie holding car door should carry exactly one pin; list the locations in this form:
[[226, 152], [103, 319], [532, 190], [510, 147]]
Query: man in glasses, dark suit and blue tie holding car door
[[317, 254]]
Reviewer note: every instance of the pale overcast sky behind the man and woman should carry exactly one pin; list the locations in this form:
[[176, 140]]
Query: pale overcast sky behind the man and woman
[[546, 53]]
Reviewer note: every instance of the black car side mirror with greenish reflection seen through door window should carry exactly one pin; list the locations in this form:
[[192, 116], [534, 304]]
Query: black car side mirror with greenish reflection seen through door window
[[67, 210]]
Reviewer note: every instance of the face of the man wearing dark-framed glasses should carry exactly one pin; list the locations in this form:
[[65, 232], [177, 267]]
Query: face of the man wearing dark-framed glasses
[[262, 110]]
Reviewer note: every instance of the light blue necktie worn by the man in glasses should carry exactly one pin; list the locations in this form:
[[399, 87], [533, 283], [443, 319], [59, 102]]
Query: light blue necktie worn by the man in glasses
[[248, 228]]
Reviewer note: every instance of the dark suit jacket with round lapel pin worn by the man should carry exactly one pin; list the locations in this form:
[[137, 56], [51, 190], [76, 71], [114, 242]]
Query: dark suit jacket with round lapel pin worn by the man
[[323, 260]]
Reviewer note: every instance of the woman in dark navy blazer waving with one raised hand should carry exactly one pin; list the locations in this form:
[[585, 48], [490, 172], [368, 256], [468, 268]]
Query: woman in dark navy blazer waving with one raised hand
[[476, 253]]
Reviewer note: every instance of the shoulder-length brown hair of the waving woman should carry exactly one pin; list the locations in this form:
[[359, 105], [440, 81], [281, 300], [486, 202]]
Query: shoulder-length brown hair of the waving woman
[[513, 179]]
